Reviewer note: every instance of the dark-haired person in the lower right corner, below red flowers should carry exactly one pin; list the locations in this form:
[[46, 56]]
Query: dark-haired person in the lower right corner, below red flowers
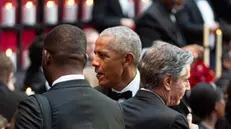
[[208, 105]]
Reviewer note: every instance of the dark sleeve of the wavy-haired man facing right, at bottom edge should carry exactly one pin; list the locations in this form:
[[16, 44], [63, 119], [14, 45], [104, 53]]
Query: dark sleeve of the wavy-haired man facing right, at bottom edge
[[180, 122]]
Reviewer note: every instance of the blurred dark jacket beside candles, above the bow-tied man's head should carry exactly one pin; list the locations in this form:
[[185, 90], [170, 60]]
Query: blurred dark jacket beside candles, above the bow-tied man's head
[[107, 13]]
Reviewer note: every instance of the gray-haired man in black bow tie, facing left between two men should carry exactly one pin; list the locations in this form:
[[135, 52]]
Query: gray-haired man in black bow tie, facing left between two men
[[117, 54]]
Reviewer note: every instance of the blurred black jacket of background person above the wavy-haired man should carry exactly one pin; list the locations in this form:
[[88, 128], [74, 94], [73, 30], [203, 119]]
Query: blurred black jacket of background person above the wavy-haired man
[[155, 24]]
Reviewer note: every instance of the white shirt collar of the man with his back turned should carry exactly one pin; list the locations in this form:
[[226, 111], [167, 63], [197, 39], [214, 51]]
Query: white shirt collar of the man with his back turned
[[68, 78]]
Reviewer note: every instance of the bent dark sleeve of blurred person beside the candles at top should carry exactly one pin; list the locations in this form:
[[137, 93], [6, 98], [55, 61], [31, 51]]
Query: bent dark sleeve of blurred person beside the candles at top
[[100, 16]]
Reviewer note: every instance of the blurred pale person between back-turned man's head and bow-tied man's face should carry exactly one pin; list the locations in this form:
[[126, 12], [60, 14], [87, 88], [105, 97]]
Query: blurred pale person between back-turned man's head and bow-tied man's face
[[89, 71]]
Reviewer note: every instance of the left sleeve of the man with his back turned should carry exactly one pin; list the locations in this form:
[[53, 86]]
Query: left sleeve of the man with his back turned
[[28, 115]]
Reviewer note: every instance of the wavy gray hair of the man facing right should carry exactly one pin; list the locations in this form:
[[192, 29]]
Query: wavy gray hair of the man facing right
[[160, 60]]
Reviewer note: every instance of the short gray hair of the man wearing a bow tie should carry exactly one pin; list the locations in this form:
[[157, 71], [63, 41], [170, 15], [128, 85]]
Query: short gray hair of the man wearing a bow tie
[[128, 41]]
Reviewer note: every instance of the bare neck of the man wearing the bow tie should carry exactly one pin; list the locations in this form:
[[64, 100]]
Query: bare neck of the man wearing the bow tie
[[126, 78]]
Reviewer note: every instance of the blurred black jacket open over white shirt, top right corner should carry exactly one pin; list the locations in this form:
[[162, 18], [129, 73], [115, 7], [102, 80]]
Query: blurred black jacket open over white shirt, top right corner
[[191, 23]]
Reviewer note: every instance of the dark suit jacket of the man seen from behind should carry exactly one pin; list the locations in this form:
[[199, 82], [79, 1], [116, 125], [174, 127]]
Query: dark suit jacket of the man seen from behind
[[74, 105]]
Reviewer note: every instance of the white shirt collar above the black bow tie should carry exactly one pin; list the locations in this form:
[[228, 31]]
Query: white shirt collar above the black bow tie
[[133, 86]]
